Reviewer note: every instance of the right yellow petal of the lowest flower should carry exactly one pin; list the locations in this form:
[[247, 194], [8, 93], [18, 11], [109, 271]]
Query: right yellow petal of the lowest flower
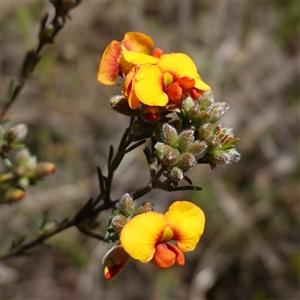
[[187, 221]]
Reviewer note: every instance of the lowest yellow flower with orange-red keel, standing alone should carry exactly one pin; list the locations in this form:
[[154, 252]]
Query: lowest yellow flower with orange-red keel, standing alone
[[146, 236]]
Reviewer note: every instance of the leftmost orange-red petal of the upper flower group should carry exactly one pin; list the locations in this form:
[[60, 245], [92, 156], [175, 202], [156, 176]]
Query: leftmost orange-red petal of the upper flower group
[[108, 69]]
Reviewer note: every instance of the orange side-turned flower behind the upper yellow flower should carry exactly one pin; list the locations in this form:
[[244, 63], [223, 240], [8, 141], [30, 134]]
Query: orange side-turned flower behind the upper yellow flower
[[113, 64]]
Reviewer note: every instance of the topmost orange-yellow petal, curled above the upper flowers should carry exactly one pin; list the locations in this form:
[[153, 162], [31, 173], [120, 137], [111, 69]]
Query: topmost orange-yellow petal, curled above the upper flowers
[[139, 42]]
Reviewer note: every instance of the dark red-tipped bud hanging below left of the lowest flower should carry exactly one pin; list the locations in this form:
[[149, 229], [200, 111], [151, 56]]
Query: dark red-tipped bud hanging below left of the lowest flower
[[114, 261]]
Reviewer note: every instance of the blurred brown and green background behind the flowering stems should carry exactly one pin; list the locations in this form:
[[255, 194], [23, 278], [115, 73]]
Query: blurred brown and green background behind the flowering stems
[[248, 52]]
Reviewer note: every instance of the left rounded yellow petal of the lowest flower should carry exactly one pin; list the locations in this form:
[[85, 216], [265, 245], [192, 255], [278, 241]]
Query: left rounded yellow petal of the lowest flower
[[141, 234]]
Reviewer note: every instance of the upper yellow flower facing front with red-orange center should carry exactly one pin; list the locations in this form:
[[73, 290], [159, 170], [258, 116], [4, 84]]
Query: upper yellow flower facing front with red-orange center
[[173, 77]]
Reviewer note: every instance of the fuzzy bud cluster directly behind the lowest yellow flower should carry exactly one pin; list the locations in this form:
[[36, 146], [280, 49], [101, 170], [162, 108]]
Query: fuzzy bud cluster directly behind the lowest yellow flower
[[126, 210]]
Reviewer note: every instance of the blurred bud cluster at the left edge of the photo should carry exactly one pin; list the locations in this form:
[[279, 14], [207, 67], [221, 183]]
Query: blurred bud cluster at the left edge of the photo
[[24, 170]]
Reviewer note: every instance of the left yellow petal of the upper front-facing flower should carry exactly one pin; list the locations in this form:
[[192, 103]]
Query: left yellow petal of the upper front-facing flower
[[149, 86]]
